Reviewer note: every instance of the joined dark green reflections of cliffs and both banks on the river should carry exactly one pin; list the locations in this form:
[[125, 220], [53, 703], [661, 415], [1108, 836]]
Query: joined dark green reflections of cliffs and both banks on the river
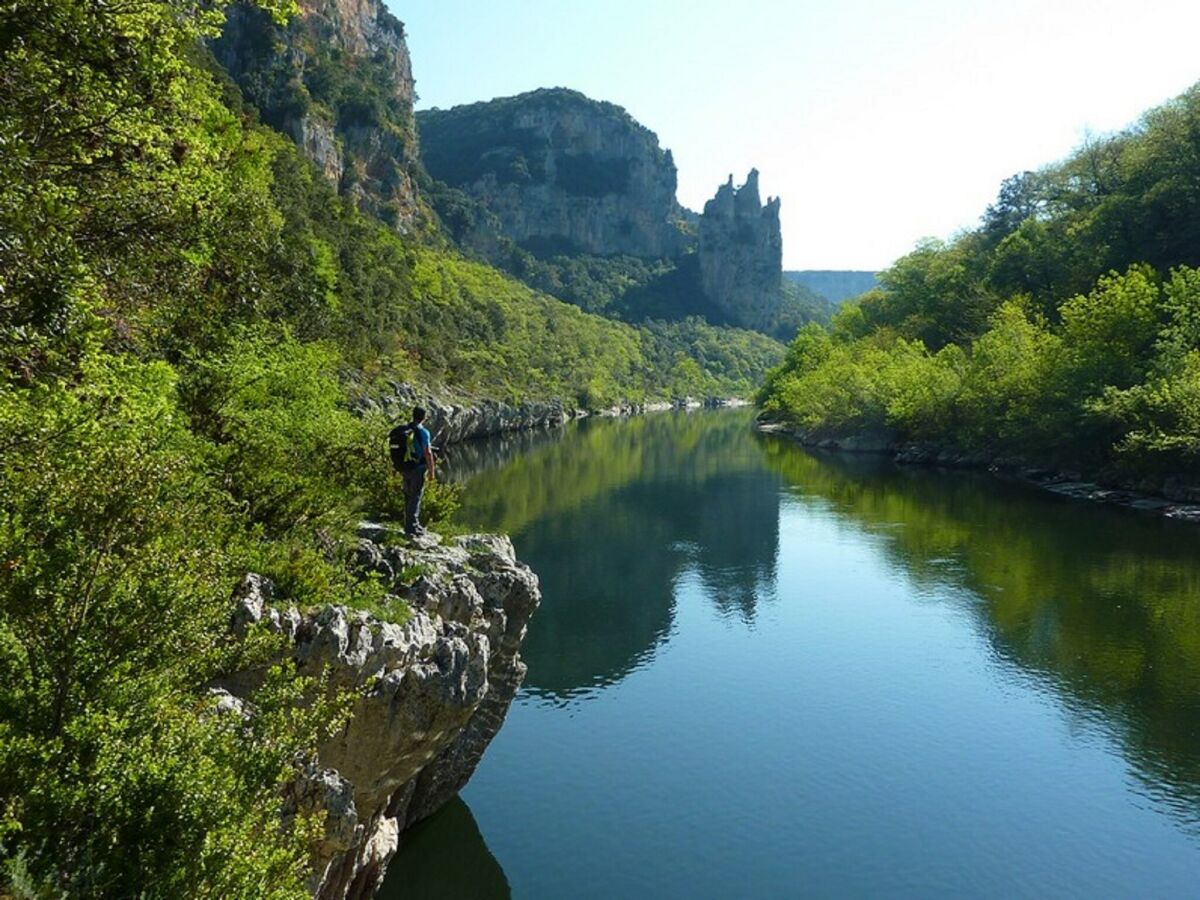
[[1102, 605]]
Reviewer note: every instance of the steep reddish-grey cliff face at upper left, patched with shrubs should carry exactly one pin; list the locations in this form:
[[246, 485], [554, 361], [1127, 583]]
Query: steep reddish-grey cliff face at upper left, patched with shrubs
[[338, 81]]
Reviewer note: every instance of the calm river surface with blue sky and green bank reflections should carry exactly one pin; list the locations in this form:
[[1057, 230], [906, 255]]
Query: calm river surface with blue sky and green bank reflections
[[763, 673]]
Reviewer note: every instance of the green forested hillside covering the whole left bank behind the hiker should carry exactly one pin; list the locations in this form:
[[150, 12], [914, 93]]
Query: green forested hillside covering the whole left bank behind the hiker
[[182, 295]]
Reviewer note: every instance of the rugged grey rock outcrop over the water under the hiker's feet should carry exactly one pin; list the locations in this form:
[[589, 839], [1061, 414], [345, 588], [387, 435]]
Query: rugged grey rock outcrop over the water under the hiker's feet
[[430, 694]]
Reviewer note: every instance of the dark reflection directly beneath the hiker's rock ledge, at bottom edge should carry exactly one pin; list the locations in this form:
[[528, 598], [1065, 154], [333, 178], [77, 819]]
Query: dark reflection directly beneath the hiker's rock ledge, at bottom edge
[[446, 859]]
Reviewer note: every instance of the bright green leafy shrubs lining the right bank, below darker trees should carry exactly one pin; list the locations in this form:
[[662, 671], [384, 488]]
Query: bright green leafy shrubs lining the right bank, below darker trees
[[1118, 380]]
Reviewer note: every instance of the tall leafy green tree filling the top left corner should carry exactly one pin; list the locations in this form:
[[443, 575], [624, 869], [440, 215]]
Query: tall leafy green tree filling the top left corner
[[116, 154]]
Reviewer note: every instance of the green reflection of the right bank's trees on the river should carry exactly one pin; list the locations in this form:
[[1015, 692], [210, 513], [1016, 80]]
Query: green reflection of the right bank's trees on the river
[[1102, 603]]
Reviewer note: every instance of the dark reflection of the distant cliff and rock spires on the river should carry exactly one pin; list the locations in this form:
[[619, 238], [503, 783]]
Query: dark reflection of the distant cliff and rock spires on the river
[[610, 515]]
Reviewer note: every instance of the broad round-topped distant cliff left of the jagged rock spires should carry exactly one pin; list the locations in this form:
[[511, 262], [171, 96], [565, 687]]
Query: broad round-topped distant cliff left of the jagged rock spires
[[560, 172]]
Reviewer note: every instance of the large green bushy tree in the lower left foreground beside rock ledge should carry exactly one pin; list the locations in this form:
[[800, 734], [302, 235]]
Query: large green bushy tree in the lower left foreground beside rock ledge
[[117, 555]]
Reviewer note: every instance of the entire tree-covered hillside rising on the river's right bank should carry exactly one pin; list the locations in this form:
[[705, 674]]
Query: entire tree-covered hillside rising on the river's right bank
[[1065, 331]]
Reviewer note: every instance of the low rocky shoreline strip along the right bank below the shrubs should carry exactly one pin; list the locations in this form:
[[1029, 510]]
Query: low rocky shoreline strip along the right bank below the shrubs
[[1172, 497]]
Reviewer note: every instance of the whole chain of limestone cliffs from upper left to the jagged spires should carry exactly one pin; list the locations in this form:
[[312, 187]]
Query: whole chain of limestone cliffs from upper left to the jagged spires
[[567, 194]]
